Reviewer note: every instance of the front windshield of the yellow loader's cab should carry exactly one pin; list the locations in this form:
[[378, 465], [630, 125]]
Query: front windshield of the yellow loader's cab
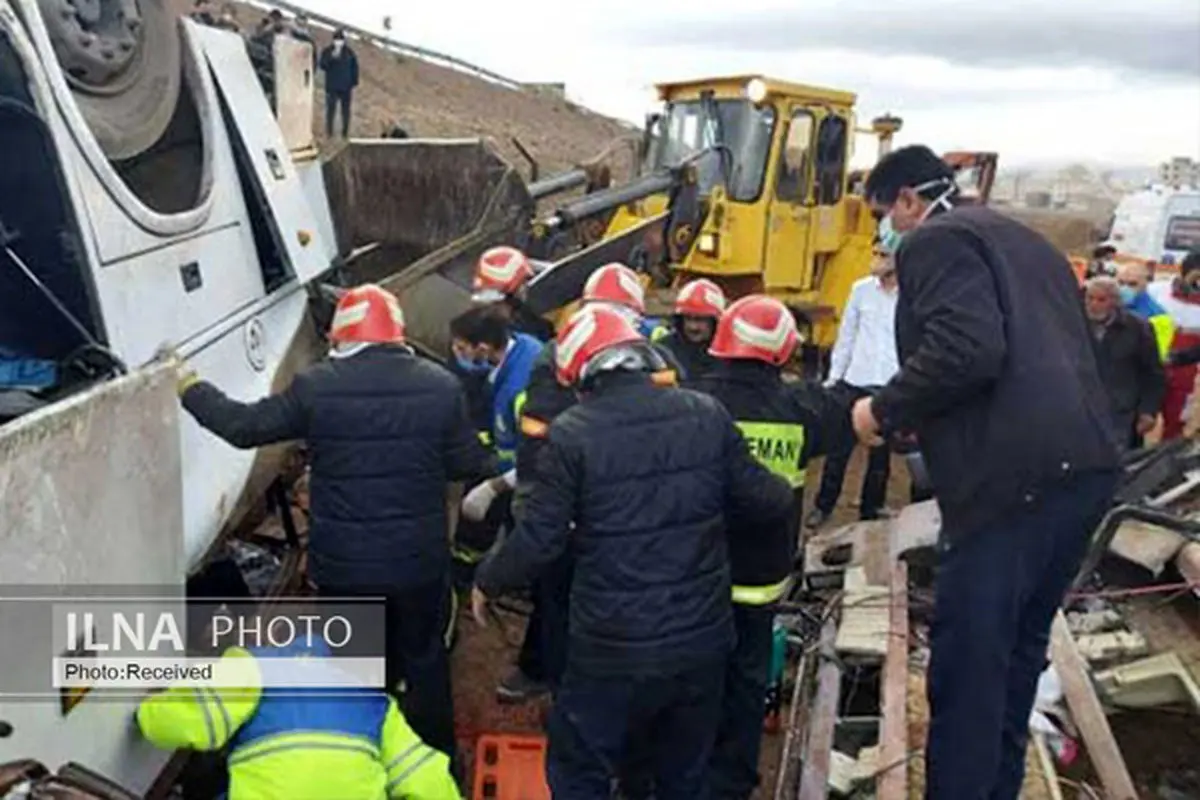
[[688, 129]]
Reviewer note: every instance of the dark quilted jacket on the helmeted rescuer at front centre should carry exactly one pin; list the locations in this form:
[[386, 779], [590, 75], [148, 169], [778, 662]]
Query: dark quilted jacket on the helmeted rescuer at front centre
[[650, 477]]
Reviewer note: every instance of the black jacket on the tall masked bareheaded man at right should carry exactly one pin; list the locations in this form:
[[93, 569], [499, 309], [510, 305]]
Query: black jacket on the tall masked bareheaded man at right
[[999, 376]]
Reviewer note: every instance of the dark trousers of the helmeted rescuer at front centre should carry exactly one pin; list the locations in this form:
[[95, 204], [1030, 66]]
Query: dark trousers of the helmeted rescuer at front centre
[[593, 725]]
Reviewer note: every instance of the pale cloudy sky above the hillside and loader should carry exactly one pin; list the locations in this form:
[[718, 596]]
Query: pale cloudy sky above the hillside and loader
[[1106, 81]]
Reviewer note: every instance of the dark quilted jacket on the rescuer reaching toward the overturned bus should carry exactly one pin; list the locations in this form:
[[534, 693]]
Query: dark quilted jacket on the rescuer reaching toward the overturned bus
[[388, 431]]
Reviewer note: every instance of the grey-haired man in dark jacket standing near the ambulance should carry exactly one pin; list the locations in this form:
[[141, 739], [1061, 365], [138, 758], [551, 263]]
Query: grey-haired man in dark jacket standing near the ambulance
[[1129, 359]]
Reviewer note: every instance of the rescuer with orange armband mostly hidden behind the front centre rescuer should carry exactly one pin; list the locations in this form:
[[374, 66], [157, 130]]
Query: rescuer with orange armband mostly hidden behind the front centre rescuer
[[543, 654]]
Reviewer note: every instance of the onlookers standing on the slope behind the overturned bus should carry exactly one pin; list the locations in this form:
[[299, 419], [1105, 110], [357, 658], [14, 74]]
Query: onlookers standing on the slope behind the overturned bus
[[338, 62]]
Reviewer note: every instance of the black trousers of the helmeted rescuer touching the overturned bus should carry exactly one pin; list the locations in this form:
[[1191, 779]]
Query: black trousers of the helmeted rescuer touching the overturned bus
[[417, 621]]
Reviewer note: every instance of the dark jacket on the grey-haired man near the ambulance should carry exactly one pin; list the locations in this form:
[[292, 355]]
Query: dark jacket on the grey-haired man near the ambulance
[[1131, 370]]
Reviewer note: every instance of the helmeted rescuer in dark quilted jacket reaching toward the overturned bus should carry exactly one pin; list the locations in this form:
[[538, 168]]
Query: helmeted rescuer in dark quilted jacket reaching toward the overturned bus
[[388, 431]]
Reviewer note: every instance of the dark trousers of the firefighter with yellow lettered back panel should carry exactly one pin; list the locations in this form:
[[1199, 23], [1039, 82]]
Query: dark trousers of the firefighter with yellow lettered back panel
[[735, 766]]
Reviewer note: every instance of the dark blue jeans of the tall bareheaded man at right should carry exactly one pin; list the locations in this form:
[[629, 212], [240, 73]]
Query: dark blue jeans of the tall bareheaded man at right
[[998, 592]]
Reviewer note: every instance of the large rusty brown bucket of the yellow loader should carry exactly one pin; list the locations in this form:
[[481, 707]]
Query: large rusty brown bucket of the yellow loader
[[429, 208]]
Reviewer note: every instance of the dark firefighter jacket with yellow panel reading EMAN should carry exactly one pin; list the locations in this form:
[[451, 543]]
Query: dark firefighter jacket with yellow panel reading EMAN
[[785, 426]]
